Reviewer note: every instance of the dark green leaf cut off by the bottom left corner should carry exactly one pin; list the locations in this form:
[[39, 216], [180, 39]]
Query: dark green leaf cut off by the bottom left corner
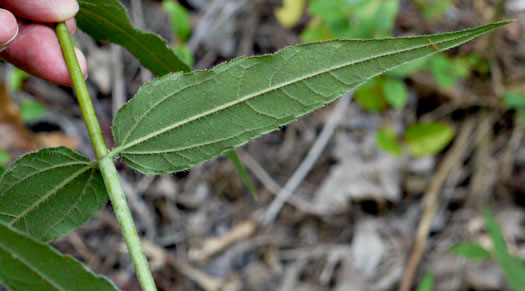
[[29, 265]]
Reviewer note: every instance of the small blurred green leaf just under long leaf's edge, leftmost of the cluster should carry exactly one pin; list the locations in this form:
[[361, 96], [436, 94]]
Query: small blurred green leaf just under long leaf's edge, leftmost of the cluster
[[371, 96]]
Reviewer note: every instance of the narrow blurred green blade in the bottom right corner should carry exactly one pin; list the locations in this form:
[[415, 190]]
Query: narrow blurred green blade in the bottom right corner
[[513, 267]]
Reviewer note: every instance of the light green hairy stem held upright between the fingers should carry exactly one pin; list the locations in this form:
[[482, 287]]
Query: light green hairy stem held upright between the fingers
[[105, 163]]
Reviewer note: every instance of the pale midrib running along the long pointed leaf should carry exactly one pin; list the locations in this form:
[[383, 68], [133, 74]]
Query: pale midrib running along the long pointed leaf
[[279, 86]]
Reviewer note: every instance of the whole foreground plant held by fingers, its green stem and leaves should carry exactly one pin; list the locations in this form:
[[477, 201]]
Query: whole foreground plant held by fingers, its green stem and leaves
[[165, 139]]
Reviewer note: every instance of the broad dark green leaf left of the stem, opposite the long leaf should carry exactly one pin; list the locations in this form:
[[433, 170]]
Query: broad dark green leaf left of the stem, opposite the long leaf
[[49, 193]]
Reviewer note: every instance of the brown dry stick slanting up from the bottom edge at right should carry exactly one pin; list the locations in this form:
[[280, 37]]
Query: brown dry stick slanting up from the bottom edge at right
[[431, 200]]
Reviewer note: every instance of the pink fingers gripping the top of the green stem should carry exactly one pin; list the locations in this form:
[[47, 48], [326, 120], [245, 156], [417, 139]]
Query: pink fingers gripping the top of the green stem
[[28, 39]]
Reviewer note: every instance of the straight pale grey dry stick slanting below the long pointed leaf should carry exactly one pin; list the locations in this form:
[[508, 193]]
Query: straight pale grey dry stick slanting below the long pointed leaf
[[307, 164]]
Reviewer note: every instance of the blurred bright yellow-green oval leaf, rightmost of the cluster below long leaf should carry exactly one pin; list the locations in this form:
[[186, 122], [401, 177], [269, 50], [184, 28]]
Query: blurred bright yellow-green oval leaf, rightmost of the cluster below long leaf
[[428, 138]]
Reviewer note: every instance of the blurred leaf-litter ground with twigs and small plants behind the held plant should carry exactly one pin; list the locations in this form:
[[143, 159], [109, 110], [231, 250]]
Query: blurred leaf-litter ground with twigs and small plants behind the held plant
[[390, 196]]
